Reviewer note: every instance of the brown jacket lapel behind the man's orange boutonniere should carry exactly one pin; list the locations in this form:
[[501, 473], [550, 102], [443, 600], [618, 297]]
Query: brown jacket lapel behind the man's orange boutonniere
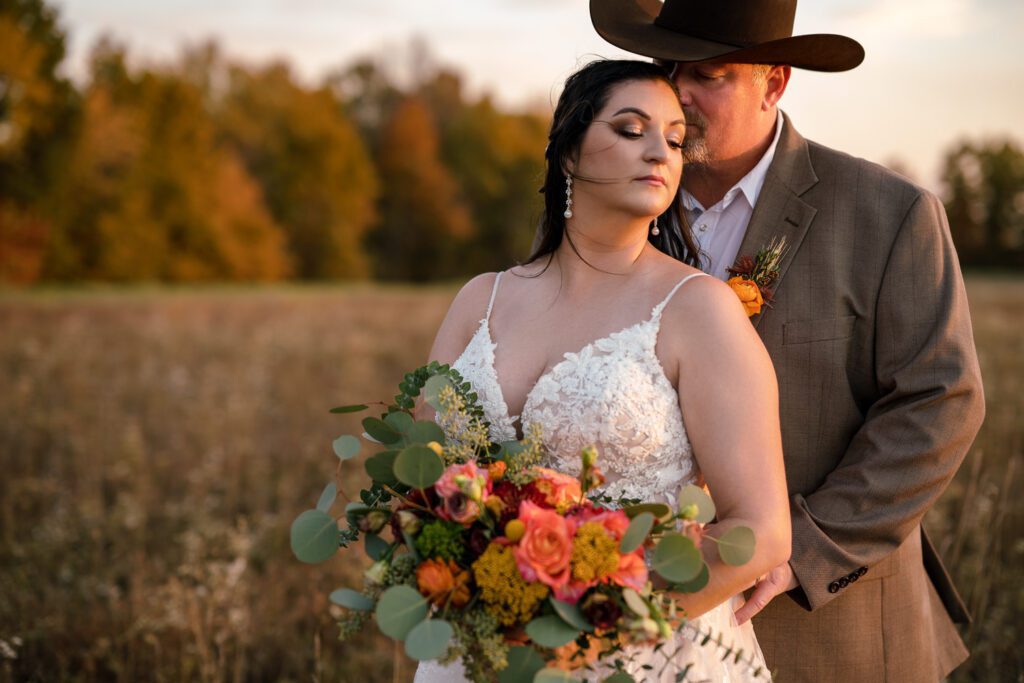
[[780, 211]]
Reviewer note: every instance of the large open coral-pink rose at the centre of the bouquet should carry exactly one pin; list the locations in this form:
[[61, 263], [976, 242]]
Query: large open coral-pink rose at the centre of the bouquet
[[545, 550]]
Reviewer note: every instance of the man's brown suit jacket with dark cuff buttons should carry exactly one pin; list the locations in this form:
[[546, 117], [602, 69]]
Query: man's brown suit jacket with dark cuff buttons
[[880, 398]]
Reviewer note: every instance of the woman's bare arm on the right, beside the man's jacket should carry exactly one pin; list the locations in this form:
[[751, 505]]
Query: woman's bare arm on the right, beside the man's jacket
[[730, 399]]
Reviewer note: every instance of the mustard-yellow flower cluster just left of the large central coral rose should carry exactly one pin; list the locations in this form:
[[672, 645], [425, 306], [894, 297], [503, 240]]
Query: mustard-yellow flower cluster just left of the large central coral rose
[[503, 590]]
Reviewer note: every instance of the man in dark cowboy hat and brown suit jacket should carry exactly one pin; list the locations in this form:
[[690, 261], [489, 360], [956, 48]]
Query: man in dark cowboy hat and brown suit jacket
[[870, 333]]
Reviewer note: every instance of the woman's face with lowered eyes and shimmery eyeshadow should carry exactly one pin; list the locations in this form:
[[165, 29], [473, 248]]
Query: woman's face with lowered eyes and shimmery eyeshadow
[[631, 156]]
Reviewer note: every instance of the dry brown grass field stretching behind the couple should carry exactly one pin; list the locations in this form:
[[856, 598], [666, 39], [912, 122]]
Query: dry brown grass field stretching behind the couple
[[156, 446]]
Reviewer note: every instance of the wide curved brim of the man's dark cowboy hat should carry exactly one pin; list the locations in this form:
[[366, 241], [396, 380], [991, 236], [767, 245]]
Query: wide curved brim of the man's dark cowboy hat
[[630, 25]]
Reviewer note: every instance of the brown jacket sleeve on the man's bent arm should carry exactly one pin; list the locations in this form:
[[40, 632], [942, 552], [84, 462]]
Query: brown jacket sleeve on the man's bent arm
[[928, 409]]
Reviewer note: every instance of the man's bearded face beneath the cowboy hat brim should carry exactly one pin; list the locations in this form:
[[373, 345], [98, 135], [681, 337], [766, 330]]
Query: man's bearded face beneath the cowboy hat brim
[[723, 107]]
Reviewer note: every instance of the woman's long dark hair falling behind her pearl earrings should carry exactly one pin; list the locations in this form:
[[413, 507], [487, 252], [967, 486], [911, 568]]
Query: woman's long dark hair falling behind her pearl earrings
[[586, 94]]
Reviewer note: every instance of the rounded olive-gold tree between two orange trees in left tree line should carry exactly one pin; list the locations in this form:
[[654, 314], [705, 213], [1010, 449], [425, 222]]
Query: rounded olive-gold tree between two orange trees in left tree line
[[312, 164]]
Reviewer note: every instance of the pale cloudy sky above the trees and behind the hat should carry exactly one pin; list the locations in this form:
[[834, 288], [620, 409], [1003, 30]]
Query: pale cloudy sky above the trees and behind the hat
[[936, 72]]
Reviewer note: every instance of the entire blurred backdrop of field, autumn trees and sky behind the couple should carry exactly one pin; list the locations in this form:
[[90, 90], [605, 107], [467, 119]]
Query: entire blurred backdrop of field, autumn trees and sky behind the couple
[[219, 221]]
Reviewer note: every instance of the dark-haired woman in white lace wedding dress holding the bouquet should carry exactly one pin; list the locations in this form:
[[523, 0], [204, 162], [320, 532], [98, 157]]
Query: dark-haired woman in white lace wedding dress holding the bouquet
[[602, 337]]
